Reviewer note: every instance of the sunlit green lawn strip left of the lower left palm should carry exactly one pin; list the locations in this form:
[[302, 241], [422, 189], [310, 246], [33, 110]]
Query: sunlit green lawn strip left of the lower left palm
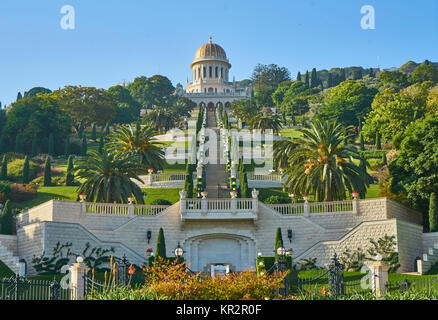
[[49, 193]]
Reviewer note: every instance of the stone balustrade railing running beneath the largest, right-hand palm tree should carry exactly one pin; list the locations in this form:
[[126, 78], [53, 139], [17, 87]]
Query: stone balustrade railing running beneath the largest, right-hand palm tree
[[348, 206]]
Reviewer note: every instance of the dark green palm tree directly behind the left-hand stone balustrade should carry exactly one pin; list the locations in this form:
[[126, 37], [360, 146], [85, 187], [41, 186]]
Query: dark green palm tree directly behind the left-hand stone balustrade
[[108, 177]]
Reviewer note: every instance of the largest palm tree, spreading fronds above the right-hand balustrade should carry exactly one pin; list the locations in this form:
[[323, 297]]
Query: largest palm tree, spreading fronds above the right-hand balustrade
[[322, 163]]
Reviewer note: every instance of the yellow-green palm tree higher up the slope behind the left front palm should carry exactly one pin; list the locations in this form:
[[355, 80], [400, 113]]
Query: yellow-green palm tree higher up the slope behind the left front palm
[[138, 140]]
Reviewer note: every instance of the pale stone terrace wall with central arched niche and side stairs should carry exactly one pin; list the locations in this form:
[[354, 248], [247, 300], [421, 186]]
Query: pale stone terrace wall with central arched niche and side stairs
[[316, 235]]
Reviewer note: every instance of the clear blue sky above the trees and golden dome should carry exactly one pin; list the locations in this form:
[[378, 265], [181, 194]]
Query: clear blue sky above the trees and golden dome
[[120, 40]]
